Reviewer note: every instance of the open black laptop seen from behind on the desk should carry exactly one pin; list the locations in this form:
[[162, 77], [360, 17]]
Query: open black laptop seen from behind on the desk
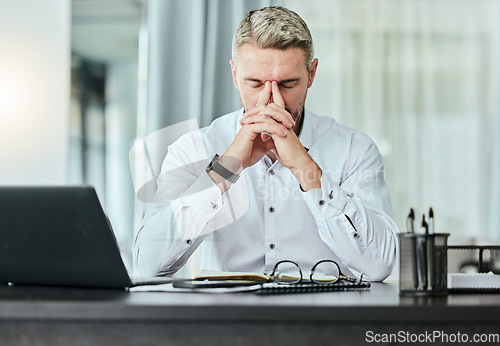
[[59, 236]]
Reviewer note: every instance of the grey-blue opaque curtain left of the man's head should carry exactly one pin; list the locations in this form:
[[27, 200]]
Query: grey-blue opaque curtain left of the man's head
[[189, 75]]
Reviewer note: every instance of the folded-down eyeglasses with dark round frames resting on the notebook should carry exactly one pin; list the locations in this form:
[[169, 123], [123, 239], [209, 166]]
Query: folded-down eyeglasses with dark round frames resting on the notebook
[[288, 272]]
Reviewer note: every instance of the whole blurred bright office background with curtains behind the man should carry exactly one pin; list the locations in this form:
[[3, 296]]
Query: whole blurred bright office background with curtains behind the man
[[81, 80]]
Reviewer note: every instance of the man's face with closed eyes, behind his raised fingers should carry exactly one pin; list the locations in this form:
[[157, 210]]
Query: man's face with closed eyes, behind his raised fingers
[[255, 66]]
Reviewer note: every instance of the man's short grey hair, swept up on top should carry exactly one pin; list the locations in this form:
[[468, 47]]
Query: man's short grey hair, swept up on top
[[274, 27]]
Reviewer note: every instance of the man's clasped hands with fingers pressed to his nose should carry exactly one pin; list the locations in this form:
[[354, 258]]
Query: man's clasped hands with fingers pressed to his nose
[[270, 127]]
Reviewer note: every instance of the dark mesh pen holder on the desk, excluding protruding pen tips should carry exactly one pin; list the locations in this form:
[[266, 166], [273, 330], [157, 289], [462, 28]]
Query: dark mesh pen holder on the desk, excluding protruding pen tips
[[423, 264]]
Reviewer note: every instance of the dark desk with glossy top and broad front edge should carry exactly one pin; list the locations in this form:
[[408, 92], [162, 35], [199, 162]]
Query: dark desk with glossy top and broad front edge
[[67, 316]]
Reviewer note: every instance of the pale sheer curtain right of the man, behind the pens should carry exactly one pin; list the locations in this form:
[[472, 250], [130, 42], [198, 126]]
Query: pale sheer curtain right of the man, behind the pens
[[421, 77]]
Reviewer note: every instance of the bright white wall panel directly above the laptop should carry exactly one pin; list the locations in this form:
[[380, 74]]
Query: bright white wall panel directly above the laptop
[[34, 91]]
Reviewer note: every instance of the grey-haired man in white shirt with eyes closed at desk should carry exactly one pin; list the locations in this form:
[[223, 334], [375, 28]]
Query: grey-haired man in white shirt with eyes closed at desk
[[289, 185]]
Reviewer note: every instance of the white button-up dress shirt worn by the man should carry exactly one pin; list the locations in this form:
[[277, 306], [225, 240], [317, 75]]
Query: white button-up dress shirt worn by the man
[[265, 217]]
